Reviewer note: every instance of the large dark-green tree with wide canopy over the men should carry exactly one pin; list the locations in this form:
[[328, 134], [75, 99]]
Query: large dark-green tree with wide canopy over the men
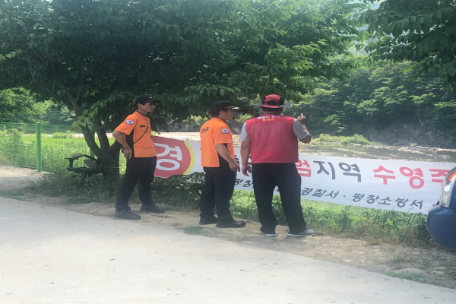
[[96, 55]]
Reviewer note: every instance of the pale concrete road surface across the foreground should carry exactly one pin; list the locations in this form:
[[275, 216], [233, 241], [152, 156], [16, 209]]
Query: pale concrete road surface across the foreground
[[52, 255]]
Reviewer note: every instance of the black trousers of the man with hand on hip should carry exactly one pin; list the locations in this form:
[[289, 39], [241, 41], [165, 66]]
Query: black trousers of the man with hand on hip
[[140, 171]]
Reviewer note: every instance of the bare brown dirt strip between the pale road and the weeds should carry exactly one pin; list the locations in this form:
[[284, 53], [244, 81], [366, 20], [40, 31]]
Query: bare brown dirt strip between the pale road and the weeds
[[431, 266]]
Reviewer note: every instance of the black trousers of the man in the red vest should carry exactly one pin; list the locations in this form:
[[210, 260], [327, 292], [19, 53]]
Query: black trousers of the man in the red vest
[[285, 176]]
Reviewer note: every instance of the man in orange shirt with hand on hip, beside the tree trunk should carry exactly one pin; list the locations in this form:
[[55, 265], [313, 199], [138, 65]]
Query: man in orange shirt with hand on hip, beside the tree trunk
[[139, 151]]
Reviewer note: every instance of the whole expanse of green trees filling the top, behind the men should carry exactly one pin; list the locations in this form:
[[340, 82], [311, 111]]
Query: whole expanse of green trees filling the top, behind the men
[[89, 58]]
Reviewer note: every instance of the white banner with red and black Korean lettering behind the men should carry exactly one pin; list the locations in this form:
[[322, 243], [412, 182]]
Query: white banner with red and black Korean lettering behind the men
[[406, 186]]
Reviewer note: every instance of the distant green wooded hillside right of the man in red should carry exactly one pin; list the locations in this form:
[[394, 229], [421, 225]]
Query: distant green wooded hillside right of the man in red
[[385, 102]]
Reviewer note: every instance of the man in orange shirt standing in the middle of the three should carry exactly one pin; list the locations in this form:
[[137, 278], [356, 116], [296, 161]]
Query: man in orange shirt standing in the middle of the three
[[217, 159]]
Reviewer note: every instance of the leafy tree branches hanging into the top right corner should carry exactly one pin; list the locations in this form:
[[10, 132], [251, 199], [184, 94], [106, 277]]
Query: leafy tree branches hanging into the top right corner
[[423, 31]]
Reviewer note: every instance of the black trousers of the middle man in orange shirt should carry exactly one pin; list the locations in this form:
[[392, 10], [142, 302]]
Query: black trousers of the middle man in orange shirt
[[218, 189]]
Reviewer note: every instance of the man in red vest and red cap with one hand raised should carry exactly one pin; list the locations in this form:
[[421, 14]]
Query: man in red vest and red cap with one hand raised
[[271, 140]]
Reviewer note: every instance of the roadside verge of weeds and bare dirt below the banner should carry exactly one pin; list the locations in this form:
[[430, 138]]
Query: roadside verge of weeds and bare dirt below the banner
[[392, 243]]
